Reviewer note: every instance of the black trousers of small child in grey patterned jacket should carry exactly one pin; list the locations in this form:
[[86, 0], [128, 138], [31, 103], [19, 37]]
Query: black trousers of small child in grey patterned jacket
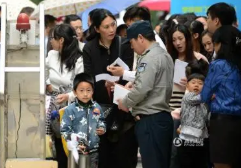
[[193, 155]]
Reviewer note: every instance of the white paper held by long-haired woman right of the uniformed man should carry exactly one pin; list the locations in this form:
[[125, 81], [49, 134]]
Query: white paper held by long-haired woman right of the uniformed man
[[179, 71]]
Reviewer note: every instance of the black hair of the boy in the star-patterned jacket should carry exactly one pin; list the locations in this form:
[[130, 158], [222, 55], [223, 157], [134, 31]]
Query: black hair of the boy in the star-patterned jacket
[[83, 77]]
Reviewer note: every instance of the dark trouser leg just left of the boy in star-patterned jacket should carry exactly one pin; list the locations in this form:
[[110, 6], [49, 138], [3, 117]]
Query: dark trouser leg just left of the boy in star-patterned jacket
[[61, 156]]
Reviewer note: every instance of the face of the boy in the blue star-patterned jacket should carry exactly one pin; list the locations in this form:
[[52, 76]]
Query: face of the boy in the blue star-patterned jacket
[[84, 92]]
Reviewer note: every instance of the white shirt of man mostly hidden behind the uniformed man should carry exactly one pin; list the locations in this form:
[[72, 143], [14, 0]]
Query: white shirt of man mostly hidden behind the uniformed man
[[130, 75]]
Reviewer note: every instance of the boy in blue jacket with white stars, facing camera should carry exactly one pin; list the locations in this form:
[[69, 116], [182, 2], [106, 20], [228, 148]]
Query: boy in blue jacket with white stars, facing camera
[[84, 118]]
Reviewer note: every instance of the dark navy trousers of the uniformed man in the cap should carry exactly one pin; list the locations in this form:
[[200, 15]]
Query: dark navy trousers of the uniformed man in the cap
[[154, 135]]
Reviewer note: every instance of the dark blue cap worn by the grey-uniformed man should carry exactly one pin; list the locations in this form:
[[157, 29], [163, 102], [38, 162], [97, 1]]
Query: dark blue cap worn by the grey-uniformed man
[[139, 27]]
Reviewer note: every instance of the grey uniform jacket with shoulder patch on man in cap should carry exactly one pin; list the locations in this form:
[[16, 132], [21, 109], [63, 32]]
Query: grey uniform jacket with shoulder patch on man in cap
[[153, 83]]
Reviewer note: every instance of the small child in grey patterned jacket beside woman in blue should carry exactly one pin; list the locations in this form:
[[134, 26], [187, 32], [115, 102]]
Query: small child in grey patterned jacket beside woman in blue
[[192, 151]]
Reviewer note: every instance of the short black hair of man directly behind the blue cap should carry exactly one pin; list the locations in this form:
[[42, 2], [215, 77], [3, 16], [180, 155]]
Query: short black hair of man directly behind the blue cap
[[137, 12]]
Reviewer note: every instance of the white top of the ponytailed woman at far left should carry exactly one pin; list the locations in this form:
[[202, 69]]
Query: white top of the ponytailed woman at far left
[[55, 77]]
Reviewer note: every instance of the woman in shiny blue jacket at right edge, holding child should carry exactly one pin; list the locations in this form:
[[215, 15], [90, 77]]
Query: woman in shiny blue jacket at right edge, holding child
[[222, 92]]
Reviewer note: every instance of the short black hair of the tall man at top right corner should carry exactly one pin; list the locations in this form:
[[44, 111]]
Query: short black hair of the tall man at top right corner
[[224, 12]]
